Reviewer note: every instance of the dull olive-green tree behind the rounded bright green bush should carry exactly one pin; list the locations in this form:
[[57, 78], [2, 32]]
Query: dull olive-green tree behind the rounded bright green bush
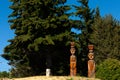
[[105, 38]]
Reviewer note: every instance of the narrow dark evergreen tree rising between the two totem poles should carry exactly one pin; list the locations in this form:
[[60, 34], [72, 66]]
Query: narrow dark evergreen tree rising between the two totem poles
[[86, 16]]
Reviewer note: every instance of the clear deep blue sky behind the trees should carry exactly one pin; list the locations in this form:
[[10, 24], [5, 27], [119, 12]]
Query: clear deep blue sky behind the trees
[[106, 7]]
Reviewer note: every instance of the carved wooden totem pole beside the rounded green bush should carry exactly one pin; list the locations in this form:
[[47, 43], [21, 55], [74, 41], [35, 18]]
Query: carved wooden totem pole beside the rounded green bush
[[91, 62]]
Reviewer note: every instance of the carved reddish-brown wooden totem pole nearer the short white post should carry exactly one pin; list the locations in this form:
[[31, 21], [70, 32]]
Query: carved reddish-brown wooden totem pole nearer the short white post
[[72, 60]]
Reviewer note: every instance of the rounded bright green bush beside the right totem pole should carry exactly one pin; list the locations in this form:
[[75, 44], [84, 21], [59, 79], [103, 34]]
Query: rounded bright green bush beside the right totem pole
[[109, 70]]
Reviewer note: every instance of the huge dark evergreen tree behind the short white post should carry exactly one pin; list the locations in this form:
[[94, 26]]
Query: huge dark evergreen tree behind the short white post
[[42, 31]]
